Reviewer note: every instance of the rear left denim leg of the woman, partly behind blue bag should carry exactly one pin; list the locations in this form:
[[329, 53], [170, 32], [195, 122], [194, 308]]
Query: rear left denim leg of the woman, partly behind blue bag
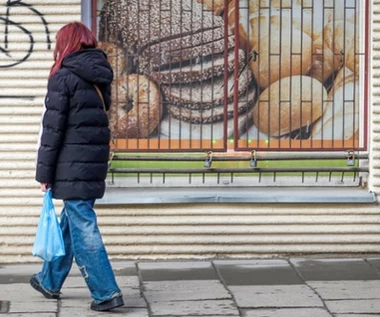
[[54, 273]]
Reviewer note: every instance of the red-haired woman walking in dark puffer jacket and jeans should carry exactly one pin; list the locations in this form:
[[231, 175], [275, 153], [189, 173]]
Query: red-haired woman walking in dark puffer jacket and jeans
[[72, 162]]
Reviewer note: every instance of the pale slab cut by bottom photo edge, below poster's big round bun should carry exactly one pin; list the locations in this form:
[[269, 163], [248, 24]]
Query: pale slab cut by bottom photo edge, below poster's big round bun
[[289, 312]]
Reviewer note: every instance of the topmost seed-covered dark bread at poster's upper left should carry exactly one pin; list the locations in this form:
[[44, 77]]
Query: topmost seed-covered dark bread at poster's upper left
[[139, 23]]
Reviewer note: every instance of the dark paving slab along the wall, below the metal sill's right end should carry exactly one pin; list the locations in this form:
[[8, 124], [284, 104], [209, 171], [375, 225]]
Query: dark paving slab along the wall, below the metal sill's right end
[[334, 269]]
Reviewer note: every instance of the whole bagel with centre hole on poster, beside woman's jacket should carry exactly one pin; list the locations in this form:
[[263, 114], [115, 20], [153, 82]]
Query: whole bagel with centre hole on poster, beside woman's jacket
[[136, 107]]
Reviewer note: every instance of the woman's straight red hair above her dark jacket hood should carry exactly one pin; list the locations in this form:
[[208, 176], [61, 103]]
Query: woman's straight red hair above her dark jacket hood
[[71, 38]]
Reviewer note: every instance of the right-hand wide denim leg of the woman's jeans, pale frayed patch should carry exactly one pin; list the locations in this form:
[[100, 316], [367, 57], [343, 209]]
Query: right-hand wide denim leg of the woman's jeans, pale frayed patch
[[89, 251]]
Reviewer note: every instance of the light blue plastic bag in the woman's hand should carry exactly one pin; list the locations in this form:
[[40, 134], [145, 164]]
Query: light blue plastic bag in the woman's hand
[[48, 243]]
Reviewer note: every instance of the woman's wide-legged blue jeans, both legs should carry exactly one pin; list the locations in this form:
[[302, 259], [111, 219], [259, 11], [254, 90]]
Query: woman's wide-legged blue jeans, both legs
[[84, 242]]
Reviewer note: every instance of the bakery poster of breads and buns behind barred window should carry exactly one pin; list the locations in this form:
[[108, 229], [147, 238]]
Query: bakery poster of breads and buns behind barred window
[[244, 75]]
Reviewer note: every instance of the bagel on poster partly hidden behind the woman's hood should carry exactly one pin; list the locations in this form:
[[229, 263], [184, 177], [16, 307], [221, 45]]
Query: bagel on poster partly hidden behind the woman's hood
[[116, 56]]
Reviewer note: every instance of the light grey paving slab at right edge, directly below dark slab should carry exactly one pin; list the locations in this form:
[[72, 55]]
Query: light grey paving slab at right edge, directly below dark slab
[[347, 289]]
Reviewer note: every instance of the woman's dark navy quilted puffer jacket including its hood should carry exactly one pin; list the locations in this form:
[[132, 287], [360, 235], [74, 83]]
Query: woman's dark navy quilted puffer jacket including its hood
[[74, 149]]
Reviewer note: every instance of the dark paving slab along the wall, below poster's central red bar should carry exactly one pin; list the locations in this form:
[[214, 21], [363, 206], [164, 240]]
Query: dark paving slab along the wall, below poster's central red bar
[[258, 272]]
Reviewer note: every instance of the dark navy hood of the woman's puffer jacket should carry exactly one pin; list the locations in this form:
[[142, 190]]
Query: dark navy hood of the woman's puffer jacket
[[91, 65]]
